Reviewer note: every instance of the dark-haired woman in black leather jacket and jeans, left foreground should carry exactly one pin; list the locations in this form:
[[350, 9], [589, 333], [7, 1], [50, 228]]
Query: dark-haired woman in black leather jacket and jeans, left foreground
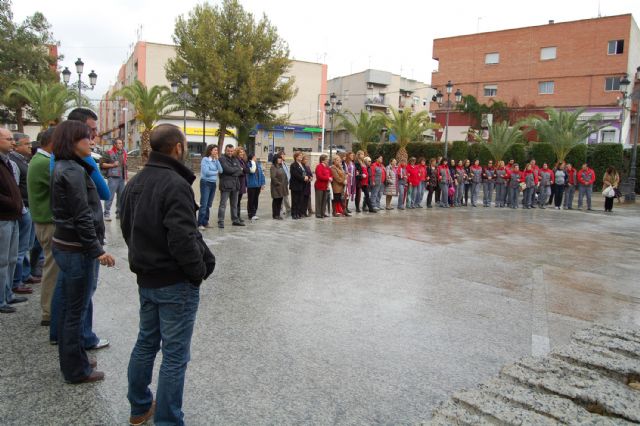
[[77, 244]]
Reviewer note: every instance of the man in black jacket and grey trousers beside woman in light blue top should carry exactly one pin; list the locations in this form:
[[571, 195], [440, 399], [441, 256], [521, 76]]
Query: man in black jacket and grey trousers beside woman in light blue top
[[229, 186]]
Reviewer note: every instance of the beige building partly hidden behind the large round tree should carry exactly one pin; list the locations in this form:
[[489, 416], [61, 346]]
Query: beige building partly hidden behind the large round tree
[[147, 64]]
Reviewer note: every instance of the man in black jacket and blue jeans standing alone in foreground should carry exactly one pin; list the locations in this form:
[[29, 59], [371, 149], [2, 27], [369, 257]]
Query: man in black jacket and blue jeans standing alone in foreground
[[170, 259]]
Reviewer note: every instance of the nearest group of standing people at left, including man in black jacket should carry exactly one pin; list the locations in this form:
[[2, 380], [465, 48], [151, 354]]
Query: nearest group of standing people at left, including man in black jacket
[[52, 233]]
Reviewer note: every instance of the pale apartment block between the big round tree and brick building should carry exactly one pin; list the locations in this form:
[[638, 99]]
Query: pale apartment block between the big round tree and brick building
[[377, 91]]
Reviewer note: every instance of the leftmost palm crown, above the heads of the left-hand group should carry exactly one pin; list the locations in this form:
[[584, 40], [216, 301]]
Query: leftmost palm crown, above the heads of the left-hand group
[[47, 102]]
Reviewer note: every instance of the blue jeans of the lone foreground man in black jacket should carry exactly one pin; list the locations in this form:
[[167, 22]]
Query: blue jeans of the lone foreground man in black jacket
[[167, 316]]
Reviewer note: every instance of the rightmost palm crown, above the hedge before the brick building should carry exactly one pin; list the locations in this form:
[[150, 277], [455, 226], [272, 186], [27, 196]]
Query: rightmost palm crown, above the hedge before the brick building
[[564, 129]]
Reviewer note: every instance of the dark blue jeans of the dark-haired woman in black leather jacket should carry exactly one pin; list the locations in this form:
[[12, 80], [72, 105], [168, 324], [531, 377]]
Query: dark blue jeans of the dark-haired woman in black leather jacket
[[78, 275]]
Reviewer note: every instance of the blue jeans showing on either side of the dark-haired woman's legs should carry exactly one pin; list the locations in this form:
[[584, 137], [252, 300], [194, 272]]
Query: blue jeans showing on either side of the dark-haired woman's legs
[[89, 338]]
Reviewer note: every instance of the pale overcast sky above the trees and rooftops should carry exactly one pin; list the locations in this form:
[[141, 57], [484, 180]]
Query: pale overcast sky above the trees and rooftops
[[348, 35]]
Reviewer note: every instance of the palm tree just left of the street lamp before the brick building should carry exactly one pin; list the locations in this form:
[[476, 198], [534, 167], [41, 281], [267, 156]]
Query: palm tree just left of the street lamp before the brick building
[[407, 126]]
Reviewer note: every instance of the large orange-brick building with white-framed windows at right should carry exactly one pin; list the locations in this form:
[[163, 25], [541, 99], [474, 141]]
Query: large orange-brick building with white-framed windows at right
[[570, 65]]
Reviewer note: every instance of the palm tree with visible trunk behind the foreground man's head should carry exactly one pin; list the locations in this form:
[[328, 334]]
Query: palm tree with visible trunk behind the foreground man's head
[[150, 105]]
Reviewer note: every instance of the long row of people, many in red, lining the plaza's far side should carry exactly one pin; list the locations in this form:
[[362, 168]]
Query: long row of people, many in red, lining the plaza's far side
[[354, 179]]
